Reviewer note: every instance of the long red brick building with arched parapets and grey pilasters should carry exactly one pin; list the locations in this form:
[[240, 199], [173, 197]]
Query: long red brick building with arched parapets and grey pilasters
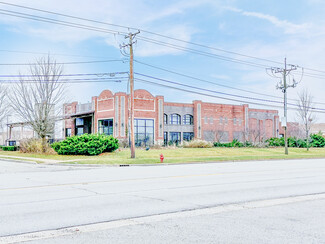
[[158, 122]]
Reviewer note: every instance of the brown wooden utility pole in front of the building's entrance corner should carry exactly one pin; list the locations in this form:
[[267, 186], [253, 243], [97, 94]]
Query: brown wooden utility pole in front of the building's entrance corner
[[131, 37]]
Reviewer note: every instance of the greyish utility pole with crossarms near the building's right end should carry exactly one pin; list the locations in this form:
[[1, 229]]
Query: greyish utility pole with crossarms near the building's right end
[[284, 85]]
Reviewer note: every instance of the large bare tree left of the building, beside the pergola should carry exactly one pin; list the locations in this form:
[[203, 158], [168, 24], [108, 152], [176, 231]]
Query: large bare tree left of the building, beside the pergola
[[36, 100]]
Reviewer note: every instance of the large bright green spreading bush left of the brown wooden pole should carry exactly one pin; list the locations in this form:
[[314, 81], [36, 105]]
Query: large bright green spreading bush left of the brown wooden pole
[[87, 144]]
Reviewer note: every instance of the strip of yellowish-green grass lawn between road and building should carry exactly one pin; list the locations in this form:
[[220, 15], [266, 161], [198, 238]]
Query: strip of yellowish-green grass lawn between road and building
[[180, 155]]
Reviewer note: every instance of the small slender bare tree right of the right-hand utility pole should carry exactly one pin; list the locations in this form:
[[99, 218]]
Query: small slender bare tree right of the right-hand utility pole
[[305, 113]]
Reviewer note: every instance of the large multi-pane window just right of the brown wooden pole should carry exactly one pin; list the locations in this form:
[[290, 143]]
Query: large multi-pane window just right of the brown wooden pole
[[144, 131]]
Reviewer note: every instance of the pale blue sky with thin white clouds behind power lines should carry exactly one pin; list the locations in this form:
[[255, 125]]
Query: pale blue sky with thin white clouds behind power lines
[[268, 30]]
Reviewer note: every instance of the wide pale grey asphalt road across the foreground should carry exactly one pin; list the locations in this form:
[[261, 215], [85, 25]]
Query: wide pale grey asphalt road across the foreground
[[242, 202]]
